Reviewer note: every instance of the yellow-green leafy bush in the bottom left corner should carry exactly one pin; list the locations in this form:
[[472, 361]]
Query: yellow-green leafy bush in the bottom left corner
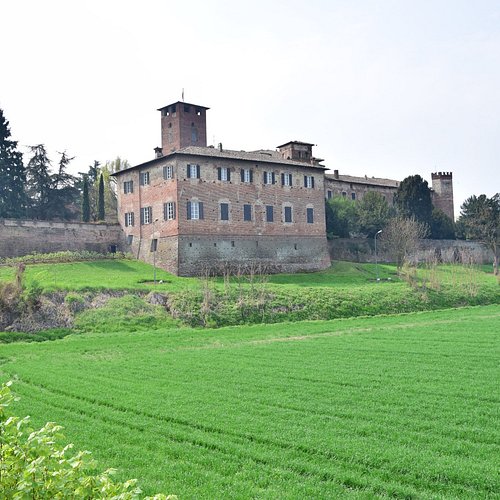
[[34, 464]]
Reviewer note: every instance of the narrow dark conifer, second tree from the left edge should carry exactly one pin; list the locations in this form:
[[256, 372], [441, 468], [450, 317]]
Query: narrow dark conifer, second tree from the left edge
[[39, 183]]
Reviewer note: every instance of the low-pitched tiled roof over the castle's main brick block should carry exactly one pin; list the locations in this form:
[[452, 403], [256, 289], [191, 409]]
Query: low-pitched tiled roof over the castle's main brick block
[[260, 156]]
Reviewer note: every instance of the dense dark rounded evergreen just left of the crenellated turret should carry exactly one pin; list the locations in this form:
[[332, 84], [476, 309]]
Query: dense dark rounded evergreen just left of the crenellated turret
[[413, 199]]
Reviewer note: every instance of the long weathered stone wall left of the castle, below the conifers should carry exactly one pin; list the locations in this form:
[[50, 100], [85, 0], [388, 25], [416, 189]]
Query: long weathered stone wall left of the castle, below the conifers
[[23, 237]]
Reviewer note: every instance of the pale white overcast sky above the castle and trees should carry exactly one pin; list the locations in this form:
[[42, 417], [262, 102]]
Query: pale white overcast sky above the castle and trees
[[386, 88]]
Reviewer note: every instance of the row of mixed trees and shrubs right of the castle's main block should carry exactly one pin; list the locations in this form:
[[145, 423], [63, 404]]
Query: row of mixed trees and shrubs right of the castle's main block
[[413, 213]]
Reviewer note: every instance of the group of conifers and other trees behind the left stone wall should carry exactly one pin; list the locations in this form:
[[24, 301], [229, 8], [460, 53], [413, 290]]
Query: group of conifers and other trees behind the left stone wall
[[40, 189]]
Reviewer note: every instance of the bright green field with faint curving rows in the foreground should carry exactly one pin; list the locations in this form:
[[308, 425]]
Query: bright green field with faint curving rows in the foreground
[[403, 405]]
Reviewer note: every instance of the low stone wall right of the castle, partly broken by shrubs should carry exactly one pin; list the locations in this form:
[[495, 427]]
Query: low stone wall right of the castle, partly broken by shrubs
[[363, 250]]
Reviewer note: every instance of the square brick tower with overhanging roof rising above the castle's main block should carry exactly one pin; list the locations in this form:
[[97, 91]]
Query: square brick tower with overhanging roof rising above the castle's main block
[[183, 124]]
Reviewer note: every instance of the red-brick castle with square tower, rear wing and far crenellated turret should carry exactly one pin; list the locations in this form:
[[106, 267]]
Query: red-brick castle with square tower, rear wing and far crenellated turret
[[195, 206]]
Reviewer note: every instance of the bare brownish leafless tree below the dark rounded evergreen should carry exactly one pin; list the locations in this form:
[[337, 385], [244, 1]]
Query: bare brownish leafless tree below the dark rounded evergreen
[[401, 236]]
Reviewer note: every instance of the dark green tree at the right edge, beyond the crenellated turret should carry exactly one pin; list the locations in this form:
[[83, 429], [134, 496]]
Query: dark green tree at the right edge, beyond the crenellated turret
[[480, 219]]
